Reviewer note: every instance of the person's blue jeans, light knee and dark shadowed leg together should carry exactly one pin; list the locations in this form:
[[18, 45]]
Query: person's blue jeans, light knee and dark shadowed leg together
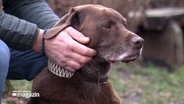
[[19, 64]]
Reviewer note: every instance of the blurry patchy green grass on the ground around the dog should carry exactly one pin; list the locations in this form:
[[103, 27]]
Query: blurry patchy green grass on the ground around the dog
[[139, 85]]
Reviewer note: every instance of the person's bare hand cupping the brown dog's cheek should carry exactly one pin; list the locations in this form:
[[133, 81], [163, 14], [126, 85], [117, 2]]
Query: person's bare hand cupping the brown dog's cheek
[[67, 49]]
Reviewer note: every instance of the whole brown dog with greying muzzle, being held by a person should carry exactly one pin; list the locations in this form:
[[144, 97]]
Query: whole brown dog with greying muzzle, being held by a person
[[112, 41]]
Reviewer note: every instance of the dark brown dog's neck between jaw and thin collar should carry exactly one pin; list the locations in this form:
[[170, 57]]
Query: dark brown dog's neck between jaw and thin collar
[[97, 70]]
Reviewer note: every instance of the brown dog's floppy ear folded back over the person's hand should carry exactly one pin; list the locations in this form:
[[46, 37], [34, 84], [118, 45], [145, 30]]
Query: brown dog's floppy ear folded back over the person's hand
[[70, 19]]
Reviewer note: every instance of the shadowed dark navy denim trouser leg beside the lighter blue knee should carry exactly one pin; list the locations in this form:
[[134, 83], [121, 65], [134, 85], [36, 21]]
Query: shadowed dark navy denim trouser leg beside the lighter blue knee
[[25, 64]]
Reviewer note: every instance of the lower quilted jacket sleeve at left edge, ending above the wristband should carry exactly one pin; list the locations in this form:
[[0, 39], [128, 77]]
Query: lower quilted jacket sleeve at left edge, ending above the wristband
[[17, 33]]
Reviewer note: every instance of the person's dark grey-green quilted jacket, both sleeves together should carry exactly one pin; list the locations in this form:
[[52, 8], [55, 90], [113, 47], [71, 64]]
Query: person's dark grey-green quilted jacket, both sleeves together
[[20, 22]]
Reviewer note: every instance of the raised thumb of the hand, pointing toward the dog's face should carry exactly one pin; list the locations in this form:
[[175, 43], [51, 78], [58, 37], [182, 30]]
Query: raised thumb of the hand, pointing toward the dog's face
[[76, 35]]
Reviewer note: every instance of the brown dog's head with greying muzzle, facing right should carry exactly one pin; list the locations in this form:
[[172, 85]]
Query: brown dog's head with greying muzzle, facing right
[[107, 32]]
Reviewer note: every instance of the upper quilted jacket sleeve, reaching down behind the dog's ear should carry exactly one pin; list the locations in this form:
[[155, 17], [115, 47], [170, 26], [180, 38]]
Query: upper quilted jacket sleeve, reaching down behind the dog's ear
[[35, 11]]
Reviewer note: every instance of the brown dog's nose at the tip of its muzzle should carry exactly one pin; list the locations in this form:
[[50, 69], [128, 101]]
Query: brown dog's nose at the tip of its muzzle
[[138, 42]]
